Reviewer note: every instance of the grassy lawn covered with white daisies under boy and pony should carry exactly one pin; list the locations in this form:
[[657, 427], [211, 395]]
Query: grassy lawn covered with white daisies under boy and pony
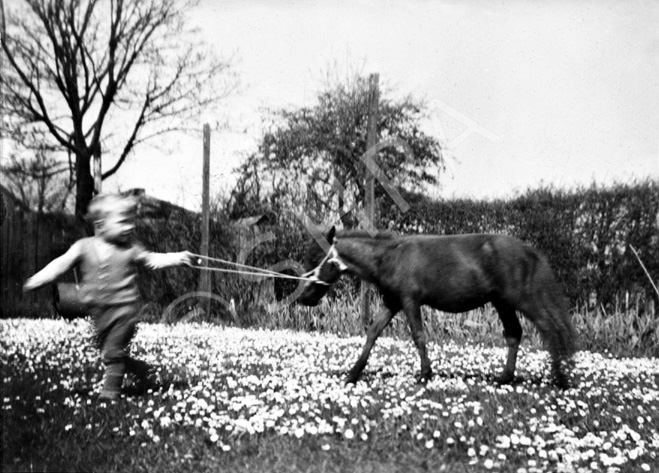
[[254, 400]]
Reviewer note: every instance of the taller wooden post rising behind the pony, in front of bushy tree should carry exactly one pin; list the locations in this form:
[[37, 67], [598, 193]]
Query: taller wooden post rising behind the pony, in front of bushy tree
[[369, 206]]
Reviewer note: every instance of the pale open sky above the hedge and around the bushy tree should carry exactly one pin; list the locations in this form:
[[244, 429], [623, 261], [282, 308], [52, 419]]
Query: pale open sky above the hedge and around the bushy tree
[[521, 93]]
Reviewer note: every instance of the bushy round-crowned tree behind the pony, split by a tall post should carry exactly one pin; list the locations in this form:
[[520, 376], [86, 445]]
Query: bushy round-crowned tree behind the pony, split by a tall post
[[311, 153]]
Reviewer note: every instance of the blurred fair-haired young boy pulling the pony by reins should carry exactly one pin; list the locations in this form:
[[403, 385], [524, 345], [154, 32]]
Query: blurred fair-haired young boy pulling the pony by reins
[[108, 263]]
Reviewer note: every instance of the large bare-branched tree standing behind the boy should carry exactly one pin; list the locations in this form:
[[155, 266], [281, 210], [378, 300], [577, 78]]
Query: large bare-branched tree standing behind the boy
[[99, 77]]
